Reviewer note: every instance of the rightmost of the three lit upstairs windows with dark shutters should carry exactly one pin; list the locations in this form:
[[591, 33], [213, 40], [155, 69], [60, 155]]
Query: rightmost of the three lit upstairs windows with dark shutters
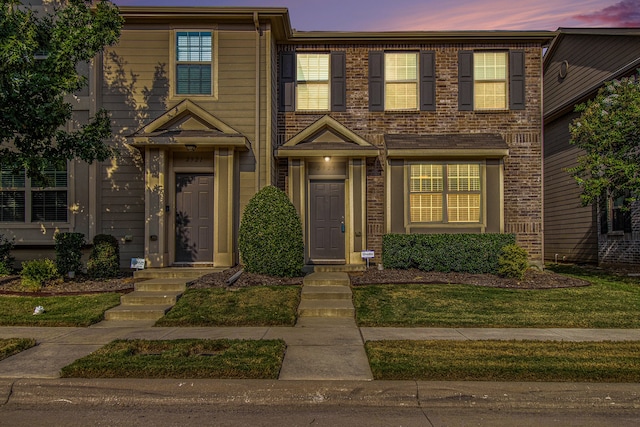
[[490, 80]]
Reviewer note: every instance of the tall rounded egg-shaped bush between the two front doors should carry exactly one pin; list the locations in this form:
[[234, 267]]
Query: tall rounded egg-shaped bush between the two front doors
[[270, 236]]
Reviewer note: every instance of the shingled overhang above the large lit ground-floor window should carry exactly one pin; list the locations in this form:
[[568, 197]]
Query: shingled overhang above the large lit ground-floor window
[[446, 146]]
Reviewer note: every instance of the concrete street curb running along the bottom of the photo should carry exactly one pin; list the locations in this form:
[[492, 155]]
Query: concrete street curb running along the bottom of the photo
[[489, 395]]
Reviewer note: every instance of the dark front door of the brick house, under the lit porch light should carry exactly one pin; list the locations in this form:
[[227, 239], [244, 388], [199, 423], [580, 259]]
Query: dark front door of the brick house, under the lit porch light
[[326, 223]]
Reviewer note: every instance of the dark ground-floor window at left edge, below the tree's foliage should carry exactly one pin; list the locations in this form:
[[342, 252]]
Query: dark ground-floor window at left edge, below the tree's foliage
[[28, 200]]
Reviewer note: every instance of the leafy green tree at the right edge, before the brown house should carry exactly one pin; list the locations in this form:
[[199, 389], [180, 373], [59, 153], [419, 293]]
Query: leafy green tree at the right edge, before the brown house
[[609, 133]]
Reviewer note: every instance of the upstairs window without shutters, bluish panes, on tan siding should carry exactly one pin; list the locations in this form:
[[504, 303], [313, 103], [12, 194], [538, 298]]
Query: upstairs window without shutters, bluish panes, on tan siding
[[193, 63]]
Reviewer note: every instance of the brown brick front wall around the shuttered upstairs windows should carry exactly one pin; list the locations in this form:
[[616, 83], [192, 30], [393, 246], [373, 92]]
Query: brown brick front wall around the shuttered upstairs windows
[[520, 129]]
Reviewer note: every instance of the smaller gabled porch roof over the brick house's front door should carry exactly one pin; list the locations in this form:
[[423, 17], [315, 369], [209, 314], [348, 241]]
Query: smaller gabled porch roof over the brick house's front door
[[327, 137]]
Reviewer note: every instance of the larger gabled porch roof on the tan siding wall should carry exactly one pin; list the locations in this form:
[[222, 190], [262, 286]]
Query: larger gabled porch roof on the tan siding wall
[[188, 124]]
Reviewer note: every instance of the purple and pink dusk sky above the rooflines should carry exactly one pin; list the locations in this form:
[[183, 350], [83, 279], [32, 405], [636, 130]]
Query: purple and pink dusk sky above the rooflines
[[434, 15]]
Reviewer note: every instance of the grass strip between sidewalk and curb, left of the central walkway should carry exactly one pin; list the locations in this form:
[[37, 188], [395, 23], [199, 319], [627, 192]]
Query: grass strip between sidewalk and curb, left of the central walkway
[[187, 358]]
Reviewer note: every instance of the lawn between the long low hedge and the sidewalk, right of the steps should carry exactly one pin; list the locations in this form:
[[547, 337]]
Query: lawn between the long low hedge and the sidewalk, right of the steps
[[610, 302]]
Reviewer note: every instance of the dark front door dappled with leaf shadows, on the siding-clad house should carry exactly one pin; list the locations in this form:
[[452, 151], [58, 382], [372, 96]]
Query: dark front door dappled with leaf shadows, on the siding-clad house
[[194, 218]]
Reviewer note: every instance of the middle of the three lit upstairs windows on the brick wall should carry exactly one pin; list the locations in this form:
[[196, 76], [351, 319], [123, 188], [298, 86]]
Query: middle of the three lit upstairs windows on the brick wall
[[401, 81]]
